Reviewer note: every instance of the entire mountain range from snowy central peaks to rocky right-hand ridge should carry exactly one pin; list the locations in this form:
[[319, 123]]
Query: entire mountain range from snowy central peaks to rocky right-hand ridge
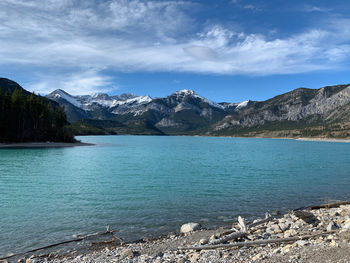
[[302, 112]]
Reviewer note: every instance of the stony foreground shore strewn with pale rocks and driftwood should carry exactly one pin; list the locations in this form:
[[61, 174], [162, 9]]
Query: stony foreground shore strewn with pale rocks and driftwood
[[313, 234]]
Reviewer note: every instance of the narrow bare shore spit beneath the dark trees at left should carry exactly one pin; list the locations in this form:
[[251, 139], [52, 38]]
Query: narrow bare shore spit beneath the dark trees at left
[[42, 145]]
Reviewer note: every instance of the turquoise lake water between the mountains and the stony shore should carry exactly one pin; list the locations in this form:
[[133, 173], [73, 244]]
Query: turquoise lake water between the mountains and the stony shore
[[148, 185]]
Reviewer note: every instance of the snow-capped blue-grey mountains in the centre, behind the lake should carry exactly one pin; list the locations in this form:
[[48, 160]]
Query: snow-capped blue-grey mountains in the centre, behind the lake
[[183, 112]]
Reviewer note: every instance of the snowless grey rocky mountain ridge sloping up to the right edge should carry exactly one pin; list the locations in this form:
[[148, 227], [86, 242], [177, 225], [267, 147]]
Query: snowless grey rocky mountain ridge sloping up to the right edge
[[301, 112]]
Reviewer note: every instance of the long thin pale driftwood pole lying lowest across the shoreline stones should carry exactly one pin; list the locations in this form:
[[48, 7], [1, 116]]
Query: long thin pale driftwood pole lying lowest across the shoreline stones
[[256, 242]]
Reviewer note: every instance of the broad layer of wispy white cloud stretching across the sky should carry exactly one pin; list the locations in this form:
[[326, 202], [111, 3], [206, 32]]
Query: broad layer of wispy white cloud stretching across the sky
[[74, 37]]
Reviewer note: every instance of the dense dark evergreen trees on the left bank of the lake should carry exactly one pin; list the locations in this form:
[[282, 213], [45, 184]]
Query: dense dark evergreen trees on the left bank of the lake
[[25, 118]]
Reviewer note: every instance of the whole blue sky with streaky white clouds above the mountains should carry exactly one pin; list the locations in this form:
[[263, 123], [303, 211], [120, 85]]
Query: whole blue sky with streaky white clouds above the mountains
[[230, 50]]
